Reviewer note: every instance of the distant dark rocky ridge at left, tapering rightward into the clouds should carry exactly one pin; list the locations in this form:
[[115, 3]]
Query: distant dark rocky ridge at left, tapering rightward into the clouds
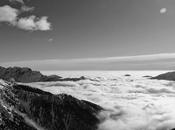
[[27, 75]]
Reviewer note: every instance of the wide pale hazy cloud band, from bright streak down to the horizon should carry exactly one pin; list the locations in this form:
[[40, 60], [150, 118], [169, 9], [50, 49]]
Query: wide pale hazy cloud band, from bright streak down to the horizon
[[164, 61]]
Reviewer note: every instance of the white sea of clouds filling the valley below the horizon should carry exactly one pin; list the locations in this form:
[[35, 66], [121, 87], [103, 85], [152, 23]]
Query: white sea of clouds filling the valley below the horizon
[[131, 102]]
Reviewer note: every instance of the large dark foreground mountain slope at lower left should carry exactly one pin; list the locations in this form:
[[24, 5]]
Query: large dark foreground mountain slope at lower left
[[26, 108]]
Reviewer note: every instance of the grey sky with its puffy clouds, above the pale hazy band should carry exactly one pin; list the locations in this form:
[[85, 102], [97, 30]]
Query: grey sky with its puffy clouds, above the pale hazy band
[[42, 30]]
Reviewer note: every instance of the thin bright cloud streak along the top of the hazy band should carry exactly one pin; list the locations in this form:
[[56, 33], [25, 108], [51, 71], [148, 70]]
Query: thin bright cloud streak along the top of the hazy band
[[156, 56]]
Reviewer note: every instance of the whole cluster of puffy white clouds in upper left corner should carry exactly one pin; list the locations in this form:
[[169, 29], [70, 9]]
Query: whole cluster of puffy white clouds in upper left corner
[[10, 16]]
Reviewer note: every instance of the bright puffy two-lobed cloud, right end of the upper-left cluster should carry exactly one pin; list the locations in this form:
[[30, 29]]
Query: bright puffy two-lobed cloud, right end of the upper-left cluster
[[33, 23]]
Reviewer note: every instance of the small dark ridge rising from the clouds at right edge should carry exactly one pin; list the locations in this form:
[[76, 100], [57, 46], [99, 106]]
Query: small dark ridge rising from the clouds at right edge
[[165, 76]]
